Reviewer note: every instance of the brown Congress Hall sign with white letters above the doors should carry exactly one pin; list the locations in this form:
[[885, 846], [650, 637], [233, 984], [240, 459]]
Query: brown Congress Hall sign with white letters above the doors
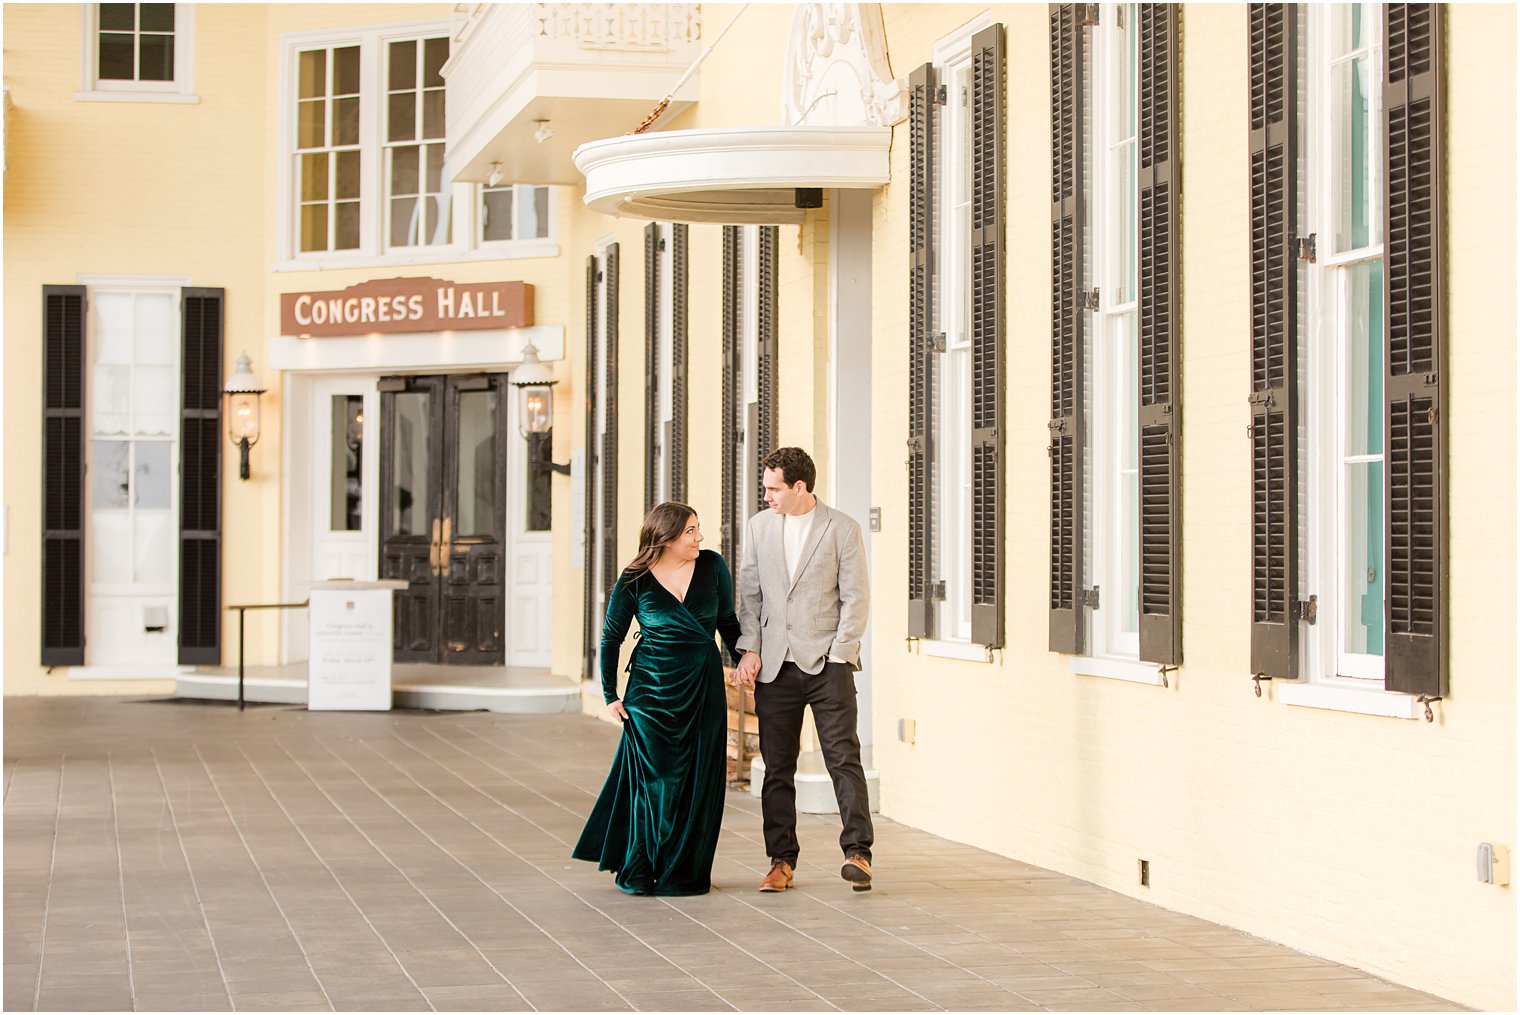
[[407, 305]]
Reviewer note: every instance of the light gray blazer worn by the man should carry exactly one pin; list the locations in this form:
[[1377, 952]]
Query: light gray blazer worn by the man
[[819, 615]]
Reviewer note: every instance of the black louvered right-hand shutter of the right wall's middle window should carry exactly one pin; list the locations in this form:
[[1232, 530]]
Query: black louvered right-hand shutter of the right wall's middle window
[[1161, 341]]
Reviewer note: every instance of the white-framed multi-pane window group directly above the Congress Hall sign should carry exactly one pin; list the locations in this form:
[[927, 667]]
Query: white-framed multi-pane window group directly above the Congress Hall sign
[[364, 175]]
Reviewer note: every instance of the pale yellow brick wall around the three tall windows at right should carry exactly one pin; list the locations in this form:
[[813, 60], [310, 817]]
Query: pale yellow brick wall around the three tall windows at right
[[1349, 836]]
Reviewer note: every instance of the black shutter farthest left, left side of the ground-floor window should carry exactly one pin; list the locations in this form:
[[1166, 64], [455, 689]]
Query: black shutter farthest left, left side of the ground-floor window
[[63, 475]]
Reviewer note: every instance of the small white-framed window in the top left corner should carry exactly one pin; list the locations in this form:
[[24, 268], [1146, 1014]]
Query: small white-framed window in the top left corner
[[138, 52]]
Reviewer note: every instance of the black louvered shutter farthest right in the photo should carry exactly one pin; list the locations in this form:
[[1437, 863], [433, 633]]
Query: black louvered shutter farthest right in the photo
[[1416, 344]]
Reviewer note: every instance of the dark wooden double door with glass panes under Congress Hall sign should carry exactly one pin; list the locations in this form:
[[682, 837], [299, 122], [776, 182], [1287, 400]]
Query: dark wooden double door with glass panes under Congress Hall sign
[[443, 470]]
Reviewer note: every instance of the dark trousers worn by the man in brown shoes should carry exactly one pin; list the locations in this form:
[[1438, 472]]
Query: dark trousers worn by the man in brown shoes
[[779, 707]]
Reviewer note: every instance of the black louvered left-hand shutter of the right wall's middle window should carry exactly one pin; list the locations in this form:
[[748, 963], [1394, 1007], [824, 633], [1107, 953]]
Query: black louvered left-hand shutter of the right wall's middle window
[[1068, 326]]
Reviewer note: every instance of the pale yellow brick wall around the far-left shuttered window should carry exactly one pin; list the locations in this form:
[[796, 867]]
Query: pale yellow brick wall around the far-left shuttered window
[[86, 197]]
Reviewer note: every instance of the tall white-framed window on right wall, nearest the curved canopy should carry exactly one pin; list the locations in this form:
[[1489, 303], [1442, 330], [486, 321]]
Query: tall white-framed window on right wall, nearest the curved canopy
[[951, 429]]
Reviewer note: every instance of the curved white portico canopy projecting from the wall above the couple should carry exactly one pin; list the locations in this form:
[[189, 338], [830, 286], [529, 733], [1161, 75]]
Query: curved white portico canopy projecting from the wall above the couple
[[729, 175]]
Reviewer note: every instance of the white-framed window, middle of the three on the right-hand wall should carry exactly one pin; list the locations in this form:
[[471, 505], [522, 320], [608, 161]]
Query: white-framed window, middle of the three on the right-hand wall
[[1113, 517]]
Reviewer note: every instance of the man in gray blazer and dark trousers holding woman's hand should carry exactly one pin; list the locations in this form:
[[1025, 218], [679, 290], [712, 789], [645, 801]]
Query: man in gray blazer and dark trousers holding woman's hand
[[803, 598]]
